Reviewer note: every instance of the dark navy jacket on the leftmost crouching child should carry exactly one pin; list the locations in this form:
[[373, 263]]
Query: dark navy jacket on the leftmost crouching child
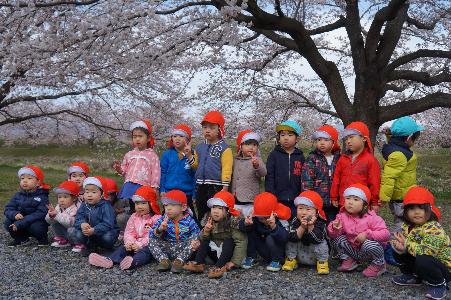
[[33, 206]]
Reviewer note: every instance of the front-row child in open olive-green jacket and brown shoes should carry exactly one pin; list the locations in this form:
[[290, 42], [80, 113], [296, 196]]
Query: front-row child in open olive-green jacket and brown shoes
[[220, 238]]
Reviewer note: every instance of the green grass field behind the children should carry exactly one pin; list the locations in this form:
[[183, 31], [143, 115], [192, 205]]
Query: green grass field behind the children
[[434, 168]]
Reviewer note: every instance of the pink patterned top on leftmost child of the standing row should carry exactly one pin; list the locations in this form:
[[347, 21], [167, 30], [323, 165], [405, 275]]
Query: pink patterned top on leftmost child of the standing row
[[141, 167]]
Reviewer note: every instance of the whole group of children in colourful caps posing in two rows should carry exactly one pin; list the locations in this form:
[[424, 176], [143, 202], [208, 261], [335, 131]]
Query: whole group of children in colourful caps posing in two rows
[[204, 205]]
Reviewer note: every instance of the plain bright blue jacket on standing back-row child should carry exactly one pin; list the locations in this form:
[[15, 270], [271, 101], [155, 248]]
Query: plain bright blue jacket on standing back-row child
[[176, 173]]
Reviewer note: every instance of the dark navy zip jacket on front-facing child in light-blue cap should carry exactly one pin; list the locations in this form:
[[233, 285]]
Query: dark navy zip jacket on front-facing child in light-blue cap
[[283, 177]]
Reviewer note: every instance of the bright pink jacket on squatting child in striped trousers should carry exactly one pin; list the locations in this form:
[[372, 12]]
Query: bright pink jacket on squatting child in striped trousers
[[373, 225]]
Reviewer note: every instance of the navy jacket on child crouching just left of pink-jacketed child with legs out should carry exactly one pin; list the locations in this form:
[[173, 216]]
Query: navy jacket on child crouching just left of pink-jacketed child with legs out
[[100, 216]]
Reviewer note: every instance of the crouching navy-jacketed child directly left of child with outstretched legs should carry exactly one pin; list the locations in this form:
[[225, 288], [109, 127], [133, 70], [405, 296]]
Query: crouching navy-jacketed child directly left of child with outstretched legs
[[95, 222]]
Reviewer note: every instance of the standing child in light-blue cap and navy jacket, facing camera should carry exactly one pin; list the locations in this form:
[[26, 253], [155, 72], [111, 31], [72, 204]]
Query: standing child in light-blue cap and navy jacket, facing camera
[[284, 165]]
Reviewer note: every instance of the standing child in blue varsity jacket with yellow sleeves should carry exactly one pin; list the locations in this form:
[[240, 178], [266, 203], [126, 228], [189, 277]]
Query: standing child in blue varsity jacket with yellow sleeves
[[213, 161]]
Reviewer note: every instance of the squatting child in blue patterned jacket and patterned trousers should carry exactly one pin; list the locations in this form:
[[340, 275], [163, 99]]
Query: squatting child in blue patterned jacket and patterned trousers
[[175, 235]]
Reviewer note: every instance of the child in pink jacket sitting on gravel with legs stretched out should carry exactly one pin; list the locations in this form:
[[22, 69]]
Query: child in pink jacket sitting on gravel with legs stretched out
[[135, 251]]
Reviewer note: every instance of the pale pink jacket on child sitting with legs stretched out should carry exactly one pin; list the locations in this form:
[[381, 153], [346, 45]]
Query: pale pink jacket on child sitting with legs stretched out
[[137, 229]]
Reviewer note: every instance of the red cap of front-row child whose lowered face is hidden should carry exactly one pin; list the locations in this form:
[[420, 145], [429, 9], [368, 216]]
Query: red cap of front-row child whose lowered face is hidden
[[266, 203]]
